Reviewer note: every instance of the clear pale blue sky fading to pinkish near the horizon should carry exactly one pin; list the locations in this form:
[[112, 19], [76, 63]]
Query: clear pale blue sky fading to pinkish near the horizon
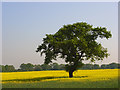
[[25, 24]]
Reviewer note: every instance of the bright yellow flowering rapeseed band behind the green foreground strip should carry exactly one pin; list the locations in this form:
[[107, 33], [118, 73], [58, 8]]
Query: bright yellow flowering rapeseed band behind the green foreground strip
[[60, 75]]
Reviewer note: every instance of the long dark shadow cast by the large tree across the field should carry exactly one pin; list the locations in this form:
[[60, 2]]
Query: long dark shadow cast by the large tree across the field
[[40, 78]]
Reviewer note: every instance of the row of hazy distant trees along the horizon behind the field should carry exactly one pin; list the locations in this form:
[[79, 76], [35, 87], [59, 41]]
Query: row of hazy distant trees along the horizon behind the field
[[54, 66]]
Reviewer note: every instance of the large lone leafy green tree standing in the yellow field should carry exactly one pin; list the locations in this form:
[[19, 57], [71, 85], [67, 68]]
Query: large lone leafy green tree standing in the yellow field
[[75, 43]]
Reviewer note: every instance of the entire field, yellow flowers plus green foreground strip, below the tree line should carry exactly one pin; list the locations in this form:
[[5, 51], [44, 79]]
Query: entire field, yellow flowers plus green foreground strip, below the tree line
[[103, 78]]
